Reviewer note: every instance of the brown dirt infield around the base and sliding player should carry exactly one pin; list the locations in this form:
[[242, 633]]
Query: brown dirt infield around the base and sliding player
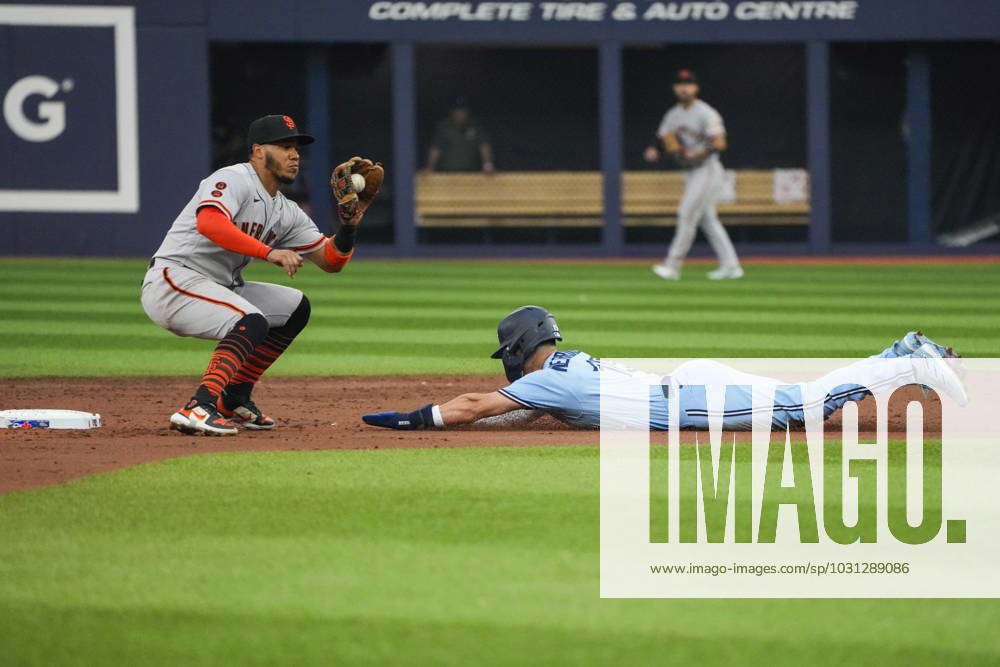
[[313, 414]]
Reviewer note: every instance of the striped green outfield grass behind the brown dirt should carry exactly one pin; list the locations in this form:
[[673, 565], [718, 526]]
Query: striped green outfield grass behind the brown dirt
[[83, 318]]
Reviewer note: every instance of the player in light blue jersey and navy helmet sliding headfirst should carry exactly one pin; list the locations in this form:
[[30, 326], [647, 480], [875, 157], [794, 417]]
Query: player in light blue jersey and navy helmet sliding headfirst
[[568, 384]]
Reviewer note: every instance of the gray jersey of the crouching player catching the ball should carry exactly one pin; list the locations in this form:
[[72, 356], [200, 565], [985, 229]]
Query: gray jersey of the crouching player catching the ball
[[237, 192]]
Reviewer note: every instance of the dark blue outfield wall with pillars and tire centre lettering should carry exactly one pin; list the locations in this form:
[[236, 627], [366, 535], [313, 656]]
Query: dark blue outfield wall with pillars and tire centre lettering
[[107, 106]]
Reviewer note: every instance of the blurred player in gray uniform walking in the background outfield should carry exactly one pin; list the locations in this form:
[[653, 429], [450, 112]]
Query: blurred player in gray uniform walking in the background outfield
[[693, 134]]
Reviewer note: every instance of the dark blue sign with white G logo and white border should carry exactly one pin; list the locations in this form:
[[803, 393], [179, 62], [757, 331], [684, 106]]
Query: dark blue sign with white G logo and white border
[[68, 93]]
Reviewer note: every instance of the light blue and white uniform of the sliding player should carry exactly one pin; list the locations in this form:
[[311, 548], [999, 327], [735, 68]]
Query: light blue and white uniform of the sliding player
[[568, 387]]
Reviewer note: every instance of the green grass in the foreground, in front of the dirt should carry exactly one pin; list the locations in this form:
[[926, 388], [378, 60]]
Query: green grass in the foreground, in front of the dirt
[[452, 557]]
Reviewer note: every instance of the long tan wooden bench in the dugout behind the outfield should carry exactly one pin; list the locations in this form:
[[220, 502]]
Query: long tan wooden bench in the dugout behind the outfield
[[574, 199]]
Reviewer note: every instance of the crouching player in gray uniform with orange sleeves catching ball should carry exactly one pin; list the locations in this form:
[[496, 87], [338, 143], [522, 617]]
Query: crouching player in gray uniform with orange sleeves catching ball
[[194, 284]]
